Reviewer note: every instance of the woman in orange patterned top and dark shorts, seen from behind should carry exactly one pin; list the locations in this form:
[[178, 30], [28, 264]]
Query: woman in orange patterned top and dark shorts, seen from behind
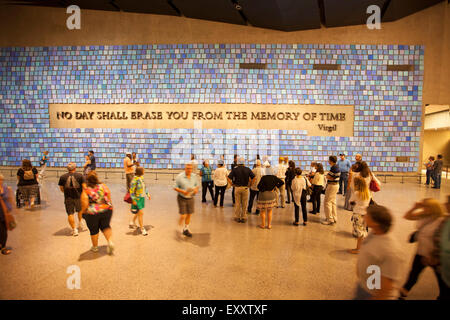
[[97, 210]]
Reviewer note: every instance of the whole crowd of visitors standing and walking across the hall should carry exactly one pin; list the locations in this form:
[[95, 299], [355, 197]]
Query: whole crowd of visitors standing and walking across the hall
[[269, 187]]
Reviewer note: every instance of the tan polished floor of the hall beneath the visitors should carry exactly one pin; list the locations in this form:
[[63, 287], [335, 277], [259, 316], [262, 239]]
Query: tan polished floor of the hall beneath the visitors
[[224, 259]]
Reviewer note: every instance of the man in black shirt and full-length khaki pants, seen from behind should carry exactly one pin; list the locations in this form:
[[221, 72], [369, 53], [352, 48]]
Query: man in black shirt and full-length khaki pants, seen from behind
[[241, 178]]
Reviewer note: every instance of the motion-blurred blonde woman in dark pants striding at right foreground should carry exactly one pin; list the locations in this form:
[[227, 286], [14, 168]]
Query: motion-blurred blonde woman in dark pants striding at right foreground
[[429, 215]]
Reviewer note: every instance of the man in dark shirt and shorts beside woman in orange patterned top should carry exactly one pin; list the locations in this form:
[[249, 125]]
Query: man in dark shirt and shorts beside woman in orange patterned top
[[72, 184]]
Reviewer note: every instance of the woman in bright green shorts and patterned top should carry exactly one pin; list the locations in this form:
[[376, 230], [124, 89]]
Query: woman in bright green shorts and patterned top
[[138, 192]]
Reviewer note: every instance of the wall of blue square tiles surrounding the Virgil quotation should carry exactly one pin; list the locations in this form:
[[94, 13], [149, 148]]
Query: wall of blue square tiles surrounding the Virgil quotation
[[388, 105]]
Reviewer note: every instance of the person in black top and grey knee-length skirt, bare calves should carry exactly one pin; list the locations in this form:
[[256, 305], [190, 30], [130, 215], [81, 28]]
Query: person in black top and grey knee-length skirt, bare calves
[[267, 198]]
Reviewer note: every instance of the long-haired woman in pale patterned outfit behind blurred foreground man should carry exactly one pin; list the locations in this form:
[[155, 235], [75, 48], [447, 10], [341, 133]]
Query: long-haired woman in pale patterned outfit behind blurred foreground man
[[360, 200]]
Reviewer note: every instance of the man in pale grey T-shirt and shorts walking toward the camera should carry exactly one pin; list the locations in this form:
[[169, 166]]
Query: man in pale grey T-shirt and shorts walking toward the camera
[[186, 185]]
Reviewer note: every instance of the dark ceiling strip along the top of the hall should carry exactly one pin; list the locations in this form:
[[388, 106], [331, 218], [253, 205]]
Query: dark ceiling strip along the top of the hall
[[286, 15]]
